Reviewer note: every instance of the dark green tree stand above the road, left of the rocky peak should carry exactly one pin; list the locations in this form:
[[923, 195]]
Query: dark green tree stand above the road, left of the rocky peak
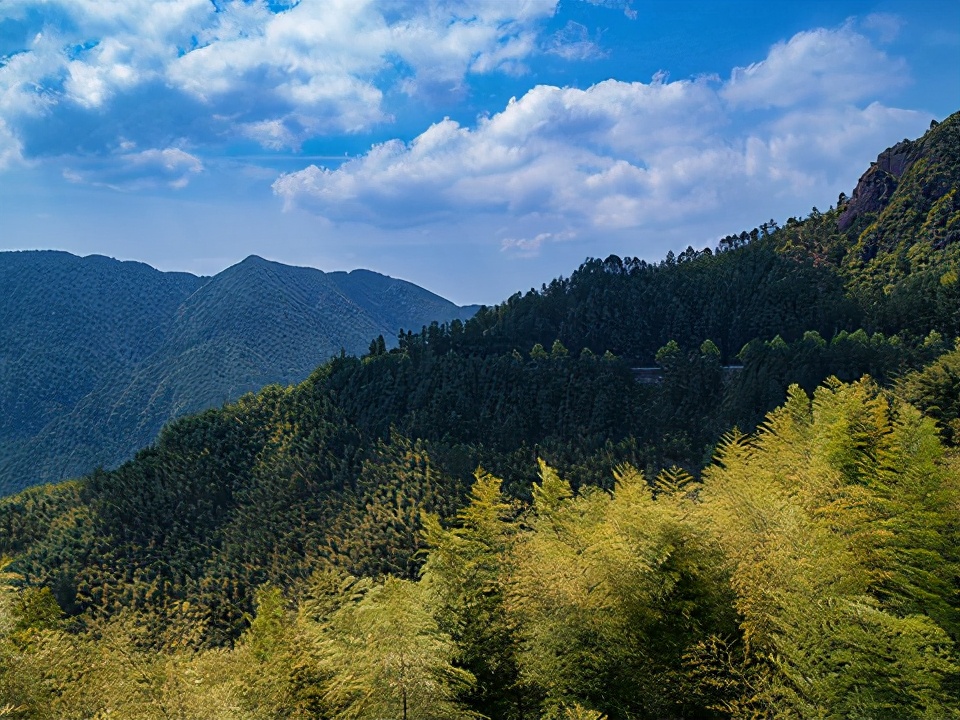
[[631, 308]]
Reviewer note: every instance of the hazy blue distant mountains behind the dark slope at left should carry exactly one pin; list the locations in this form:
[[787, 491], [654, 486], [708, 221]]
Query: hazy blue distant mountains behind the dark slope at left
[[96, 355]]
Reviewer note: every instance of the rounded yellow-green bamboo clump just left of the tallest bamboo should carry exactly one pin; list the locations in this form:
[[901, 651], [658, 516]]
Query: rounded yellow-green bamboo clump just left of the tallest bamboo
[[611, 592]]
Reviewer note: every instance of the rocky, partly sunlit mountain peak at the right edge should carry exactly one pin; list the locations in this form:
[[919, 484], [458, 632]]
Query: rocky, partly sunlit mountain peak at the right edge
[[896, 240]]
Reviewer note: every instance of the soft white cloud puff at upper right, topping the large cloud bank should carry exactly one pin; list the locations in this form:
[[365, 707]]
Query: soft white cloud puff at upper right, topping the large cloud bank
[[819, 66]]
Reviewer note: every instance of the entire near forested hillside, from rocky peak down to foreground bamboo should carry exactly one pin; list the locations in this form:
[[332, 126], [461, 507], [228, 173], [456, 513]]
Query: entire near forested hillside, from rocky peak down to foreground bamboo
[[495, 519]]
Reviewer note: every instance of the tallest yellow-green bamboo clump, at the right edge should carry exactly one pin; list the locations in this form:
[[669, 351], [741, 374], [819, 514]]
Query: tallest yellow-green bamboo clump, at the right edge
[[839, 527]]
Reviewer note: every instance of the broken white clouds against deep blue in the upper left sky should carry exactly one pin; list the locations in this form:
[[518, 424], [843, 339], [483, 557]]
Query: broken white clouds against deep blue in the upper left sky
[[276, 73]]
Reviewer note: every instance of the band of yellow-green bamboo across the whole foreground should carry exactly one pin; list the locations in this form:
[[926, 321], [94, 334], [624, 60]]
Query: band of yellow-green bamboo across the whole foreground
[[812, 573]]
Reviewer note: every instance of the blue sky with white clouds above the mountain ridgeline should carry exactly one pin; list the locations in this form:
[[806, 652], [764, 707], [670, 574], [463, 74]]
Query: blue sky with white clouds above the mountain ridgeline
[[477, 148]]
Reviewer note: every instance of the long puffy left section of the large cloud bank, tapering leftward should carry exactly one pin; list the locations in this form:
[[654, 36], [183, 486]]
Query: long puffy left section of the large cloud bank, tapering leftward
[[558, 151]]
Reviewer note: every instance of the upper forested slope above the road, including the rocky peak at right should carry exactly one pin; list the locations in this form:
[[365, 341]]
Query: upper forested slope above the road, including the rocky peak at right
[[885, 260]]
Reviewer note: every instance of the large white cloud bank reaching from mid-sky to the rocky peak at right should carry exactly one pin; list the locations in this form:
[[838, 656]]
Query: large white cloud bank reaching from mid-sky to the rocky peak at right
[[646, 156]]
